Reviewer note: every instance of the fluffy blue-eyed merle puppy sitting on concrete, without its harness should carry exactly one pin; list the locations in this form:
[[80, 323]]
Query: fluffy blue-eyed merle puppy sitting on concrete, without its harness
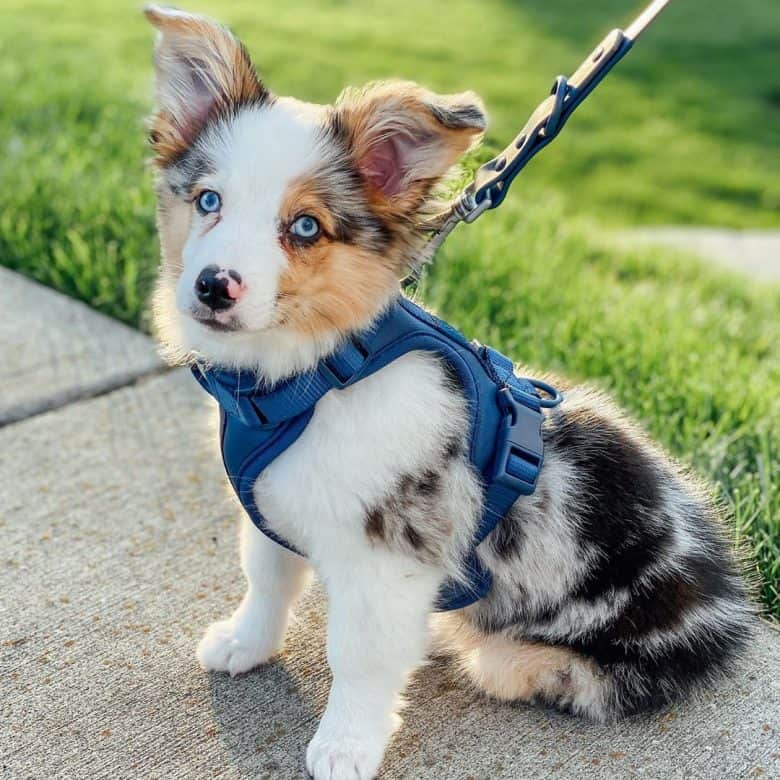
[[285, 228]]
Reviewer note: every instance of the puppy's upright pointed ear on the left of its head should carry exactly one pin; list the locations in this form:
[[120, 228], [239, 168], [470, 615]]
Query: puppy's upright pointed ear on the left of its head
[[202, 70]]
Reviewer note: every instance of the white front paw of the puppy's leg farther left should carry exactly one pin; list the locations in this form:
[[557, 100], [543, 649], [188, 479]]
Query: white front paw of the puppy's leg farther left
[[229, 646]]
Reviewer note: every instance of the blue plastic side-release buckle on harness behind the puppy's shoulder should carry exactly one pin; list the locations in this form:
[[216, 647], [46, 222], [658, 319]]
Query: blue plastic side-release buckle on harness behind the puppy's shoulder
[[520, 447]]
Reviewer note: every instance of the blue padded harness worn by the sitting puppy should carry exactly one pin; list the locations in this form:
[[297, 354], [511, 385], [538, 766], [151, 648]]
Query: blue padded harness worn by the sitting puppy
[[505, 437]]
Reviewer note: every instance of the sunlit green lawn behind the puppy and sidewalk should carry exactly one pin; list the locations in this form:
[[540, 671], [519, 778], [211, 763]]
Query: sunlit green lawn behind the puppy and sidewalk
[[687, 130]]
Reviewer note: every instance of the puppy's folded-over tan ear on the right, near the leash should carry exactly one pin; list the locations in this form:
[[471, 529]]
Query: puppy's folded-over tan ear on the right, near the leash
[[404, 138]]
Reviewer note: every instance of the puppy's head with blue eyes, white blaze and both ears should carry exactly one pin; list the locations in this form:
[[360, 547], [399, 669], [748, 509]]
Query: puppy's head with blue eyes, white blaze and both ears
[[285, 225]]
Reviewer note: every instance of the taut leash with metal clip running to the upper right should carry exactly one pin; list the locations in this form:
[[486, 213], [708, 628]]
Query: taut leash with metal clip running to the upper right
[[492, 180]]
